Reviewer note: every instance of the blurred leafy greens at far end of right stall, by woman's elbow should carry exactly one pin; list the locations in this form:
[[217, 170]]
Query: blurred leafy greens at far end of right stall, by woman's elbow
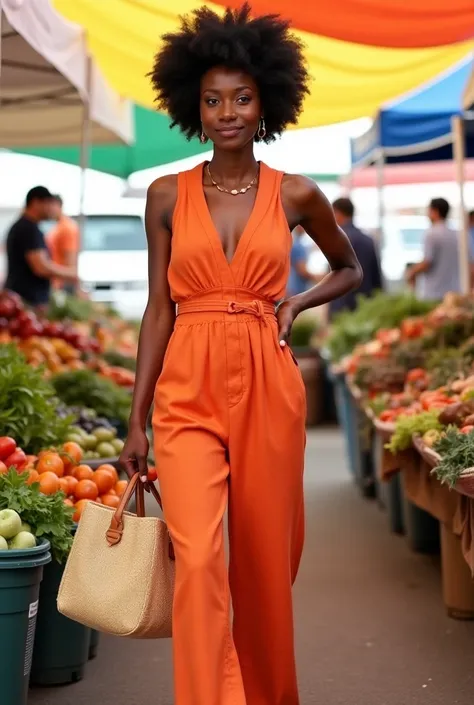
[[382, 310]]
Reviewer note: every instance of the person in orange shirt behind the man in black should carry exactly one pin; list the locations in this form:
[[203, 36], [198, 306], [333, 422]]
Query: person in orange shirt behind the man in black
[[63, 244]]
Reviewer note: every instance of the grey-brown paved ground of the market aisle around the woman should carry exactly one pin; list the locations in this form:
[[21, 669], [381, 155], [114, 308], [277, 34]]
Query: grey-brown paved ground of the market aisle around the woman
[[371, 629]]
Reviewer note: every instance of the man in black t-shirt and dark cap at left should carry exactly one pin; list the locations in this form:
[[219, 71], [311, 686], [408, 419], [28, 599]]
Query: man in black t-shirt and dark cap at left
[[30, 268]]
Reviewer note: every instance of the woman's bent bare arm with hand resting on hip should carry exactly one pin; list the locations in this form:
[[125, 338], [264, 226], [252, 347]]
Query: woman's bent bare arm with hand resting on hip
[[306, 205]]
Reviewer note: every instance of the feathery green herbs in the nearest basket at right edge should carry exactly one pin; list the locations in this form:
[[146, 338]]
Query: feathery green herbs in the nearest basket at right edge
[[457, 454]]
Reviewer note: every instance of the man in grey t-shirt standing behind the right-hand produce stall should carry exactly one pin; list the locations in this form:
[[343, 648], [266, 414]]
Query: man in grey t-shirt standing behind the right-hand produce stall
[[440, 265]]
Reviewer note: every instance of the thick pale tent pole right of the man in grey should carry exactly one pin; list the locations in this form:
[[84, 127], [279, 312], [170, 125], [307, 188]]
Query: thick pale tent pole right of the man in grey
[[464, 248]]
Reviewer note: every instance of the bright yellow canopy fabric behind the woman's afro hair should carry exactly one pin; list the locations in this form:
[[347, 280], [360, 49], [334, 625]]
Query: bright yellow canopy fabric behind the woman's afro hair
[[348, 80]]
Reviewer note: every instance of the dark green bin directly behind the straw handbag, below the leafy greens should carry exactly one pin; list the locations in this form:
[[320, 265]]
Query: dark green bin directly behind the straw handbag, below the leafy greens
[[61, 645]]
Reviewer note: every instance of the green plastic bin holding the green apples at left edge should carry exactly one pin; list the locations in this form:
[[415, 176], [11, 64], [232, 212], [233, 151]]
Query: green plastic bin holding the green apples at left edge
[[21, 573]]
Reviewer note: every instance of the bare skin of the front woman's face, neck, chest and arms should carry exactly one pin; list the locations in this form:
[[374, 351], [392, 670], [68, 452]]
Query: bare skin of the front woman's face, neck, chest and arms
[[230, 113]]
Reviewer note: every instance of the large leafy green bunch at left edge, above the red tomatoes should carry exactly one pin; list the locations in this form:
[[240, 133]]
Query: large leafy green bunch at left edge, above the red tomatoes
[[28, 404]]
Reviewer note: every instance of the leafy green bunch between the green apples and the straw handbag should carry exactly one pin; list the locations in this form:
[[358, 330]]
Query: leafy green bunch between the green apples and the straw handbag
[[47, 515]]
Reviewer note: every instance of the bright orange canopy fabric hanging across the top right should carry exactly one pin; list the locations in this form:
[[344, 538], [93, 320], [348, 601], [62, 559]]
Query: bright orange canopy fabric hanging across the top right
[[383, 23]]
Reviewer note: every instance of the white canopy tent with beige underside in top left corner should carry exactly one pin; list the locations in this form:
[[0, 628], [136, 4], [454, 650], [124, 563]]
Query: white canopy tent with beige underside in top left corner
[[46, 77]]
